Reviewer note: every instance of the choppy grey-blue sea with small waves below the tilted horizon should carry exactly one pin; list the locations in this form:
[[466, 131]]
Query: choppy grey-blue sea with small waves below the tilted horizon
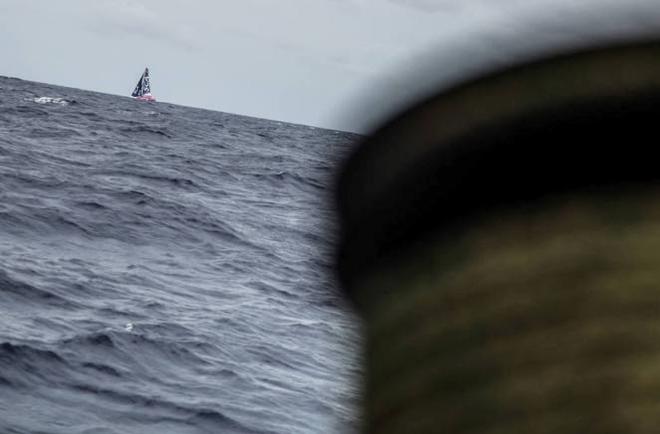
[[168, 270]]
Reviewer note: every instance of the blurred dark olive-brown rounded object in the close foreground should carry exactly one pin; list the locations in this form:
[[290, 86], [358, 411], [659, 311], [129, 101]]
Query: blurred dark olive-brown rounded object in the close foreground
[[502, 242]]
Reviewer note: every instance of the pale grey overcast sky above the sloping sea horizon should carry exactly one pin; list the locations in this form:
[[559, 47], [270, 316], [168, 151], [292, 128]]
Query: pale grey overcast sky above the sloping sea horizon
[[332, 63]]
